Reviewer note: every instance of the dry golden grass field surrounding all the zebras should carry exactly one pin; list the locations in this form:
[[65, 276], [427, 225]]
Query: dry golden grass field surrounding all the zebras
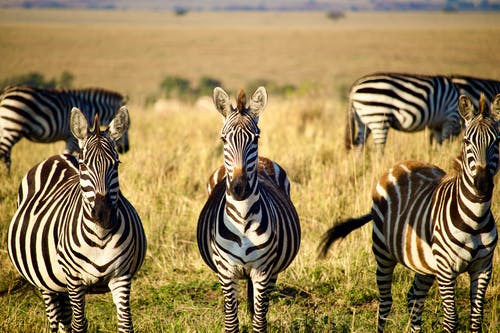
[[174, 151]]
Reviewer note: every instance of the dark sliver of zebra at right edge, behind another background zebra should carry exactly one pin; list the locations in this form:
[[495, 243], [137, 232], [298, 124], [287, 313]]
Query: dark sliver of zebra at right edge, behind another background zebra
[[473, 87]]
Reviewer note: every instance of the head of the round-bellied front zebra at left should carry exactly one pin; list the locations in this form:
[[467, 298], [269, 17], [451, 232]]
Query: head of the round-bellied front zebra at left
[[98, 164]]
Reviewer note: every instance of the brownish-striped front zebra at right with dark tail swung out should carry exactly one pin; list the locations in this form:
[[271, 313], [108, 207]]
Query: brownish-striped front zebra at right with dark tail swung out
[[435, 224]]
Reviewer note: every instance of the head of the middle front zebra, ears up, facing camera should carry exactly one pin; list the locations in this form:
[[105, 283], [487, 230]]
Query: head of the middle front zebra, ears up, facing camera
[[240, 135]]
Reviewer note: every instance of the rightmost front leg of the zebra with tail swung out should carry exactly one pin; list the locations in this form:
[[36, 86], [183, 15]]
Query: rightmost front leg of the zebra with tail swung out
[[479, 281]]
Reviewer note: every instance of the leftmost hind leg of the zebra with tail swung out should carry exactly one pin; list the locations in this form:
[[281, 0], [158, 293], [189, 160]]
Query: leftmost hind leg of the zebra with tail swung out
[[384, 284]]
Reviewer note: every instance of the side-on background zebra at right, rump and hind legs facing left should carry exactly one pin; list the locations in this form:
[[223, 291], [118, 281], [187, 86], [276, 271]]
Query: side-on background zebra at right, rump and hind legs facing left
[[404, 102]]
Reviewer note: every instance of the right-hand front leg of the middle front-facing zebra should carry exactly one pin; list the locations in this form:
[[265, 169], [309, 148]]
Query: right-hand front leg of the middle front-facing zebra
[[262, 285]]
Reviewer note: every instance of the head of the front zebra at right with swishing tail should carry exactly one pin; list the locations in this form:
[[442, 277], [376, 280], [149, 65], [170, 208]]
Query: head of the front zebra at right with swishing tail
[[480, 151]]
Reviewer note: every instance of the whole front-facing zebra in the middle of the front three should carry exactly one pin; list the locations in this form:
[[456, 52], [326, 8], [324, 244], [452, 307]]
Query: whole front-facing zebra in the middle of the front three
[[248, 228]]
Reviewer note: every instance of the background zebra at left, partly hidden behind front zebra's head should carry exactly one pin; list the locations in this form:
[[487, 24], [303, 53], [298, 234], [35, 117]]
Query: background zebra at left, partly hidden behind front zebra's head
[[42, 115]]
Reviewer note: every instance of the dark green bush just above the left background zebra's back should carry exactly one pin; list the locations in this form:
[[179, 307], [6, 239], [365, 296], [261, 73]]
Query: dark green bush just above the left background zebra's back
[[38, 80]]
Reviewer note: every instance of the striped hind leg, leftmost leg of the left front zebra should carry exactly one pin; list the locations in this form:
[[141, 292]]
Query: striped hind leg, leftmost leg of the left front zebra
[[58, 310]]
